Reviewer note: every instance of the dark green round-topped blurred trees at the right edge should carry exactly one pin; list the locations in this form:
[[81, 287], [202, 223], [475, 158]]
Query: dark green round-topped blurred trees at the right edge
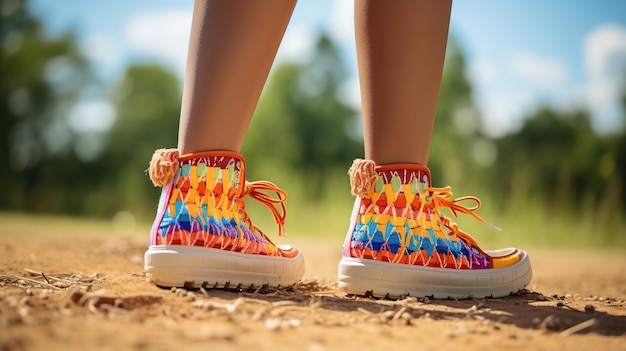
[[557, 156]]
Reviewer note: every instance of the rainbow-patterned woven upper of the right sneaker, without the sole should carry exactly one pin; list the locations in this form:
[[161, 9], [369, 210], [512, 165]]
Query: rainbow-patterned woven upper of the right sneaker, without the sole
[[398, 223]]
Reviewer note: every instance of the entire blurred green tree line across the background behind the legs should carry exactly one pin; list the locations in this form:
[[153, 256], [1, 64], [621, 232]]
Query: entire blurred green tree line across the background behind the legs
[[303, 133]]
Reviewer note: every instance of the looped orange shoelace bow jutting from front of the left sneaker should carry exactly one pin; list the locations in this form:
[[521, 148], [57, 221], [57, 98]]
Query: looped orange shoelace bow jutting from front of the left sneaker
[[255, 190]]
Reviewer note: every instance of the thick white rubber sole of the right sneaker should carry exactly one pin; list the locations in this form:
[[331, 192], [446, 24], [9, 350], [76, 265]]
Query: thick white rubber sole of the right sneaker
[[363, 277]]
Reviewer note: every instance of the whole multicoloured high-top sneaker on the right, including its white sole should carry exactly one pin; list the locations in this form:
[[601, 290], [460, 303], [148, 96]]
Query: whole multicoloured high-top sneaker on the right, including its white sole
[[399, 243]]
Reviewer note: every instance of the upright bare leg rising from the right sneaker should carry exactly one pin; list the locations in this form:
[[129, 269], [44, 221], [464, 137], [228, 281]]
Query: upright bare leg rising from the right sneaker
[[400, 47]]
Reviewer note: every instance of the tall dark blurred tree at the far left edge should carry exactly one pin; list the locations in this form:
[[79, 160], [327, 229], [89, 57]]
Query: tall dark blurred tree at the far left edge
[[41, 79]]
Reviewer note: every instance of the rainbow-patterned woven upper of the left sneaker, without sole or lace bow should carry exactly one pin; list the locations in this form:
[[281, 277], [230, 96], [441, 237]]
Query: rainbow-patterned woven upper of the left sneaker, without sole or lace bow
[[203, 206]]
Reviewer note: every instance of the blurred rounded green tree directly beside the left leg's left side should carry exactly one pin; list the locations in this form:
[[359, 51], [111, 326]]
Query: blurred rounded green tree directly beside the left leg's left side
[[148, 105]]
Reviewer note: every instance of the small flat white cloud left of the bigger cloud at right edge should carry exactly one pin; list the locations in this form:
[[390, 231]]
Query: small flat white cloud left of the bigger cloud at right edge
[[543, 70]]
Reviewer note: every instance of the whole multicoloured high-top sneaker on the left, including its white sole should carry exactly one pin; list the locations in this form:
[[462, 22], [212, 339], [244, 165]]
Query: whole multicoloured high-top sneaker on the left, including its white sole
[[202, 235]]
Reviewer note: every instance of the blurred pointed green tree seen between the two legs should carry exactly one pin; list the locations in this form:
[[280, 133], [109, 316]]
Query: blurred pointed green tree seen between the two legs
[[301, 124]]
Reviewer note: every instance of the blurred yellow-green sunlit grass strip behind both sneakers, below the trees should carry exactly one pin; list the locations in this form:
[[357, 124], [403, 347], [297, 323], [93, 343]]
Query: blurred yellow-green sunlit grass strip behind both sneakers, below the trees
[[525, 221]]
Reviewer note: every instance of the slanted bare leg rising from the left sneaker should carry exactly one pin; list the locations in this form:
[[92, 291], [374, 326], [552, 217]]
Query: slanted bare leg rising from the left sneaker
[[231, 50]]
